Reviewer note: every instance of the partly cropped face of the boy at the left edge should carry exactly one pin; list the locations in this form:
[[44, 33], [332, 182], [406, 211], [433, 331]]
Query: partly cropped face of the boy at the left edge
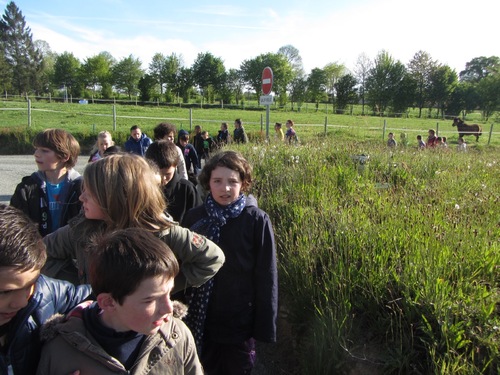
[[16, 288]]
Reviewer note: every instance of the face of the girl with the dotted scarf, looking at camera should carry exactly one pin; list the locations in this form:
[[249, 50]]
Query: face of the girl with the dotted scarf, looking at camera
[[225, 185]]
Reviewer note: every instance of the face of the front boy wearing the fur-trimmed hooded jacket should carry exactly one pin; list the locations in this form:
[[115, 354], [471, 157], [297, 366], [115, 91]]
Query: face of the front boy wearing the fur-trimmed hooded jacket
[[145, 310]]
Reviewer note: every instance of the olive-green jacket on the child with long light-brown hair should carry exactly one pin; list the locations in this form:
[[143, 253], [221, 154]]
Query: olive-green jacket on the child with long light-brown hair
[[199, 258]]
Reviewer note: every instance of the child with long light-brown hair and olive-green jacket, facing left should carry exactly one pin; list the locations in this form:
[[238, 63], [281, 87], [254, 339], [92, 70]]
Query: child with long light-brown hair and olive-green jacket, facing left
[[121, 191]]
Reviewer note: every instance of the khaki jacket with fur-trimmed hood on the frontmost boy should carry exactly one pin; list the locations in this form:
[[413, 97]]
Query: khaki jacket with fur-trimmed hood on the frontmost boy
[[170, 351]]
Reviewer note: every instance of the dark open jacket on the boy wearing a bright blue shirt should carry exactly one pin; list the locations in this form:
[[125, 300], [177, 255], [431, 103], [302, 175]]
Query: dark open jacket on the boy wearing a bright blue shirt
[[30, 197]]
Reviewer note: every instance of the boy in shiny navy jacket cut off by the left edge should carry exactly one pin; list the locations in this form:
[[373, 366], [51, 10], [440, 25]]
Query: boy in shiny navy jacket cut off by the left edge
[[27, 299]]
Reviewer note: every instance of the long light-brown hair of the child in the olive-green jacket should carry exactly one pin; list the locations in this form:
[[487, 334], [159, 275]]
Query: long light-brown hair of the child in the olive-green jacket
[[126, 189]]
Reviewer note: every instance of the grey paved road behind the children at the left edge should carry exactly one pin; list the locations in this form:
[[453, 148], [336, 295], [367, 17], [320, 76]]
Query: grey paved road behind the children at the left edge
[[14, 167]]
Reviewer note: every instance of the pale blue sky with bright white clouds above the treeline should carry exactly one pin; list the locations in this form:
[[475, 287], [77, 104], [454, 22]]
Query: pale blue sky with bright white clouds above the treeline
[[452, 32]]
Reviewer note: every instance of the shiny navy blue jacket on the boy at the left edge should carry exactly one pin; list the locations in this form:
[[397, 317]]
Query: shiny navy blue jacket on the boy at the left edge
[[50, 297]]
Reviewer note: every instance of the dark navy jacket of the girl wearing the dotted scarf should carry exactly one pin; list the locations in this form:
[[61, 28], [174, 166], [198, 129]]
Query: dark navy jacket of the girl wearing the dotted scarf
[[244, 299]]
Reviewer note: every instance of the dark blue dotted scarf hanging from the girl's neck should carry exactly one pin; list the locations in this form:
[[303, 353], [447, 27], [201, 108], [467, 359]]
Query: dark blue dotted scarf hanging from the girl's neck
[[210, 226]]
